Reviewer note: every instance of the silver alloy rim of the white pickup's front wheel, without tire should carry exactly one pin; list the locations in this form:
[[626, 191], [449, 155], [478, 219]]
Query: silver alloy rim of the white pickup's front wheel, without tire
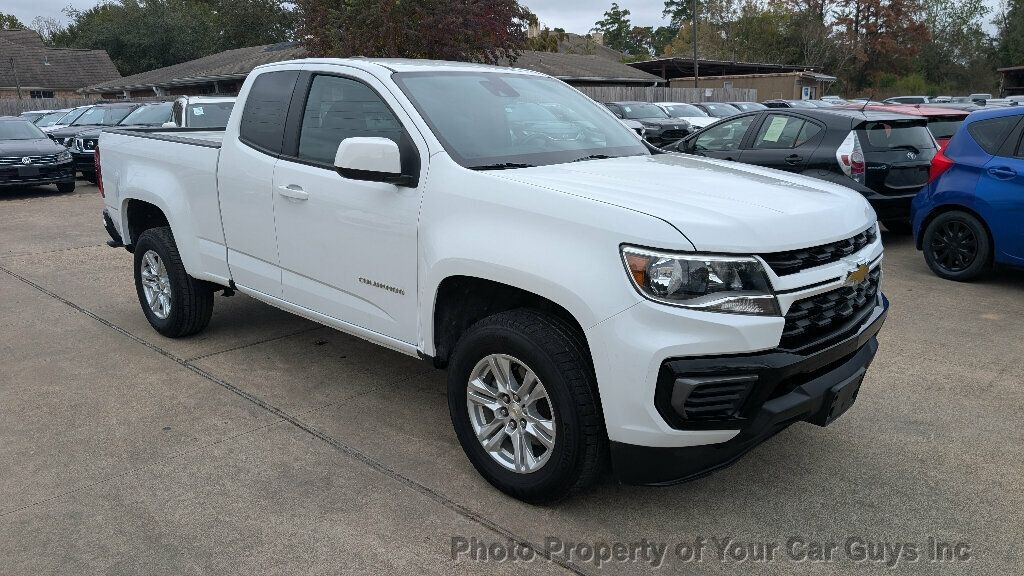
[[511, 414]]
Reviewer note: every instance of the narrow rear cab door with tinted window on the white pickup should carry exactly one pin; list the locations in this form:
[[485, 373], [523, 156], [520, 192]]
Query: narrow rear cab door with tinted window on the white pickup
[[245, 182]]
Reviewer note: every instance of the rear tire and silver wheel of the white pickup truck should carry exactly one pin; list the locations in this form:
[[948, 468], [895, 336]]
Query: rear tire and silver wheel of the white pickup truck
[[176, 304]]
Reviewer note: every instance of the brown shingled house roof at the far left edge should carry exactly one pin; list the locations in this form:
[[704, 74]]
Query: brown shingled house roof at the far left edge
[[59, 69]]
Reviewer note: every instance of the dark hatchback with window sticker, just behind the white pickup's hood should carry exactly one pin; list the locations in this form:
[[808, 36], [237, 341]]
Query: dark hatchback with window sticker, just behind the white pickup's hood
[[884, 156]]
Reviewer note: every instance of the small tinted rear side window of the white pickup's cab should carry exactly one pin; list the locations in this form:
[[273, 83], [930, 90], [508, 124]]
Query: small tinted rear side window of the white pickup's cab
[[263, 125]]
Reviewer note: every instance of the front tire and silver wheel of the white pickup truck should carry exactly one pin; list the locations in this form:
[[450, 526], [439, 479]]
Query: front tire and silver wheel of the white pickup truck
[[525, 406]]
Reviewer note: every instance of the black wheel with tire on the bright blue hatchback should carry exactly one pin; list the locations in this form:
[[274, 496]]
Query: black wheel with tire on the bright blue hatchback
[[957, 246]]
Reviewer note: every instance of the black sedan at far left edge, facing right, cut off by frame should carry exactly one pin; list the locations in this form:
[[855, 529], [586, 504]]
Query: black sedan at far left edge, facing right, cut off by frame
[[28, 157]]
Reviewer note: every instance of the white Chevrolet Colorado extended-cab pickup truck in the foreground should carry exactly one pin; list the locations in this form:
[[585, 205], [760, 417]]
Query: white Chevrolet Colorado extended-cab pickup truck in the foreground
[[591, 297]]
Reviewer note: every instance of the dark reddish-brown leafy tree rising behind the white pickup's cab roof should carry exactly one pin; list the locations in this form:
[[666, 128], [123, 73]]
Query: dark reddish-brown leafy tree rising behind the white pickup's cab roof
[[462, 30]]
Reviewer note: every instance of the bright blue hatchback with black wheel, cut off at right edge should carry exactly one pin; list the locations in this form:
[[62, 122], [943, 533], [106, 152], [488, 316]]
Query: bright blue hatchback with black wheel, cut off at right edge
[[971, 215]]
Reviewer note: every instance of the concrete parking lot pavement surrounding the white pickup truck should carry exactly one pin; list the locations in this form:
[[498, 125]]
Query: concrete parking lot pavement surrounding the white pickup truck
[[271, 445]]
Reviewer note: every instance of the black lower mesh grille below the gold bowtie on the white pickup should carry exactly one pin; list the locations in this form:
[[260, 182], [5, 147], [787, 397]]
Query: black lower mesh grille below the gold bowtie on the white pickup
[[831, 315]]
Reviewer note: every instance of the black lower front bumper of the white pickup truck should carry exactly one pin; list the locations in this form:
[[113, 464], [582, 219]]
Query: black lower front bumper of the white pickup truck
[[784, 389]]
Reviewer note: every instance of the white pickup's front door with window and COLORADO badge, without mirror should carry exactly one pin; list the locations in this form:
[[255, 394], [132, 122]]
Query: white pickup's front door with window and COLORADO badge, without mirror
[[348, 249]]
